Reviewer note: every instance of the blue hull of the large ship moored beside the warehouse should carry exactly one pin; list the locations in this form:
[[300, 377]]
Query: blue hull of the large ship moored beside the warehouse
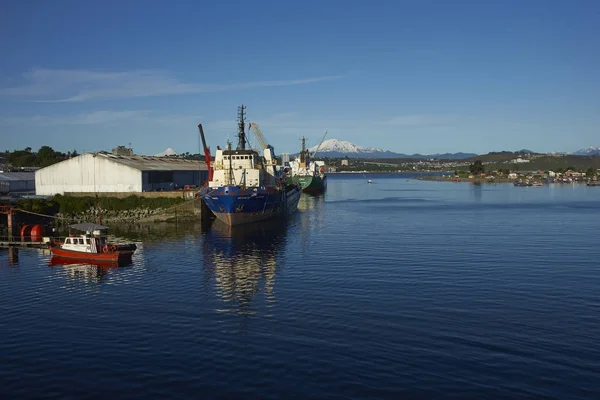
[[235, 206]]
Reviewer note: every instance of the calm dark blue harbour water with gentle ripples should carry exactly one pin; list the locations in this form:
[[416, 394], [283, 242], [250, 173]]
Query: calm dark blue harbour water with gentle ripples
[[397, 289]]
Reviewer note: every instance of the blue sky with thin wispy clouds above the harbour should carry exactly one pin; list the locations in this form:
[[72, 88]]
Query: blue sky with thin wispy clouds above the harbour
[[407, 76]]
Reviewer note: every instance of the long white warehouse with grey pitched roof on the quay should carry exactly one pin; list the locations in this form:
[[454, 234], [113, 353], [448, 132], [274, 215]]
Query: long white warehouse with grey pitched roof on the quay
[[103, 172]]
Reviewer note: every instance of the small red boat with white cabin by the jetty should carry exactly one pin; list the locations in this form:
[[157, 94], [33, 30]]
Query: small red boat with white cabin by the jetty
[[92, 246]]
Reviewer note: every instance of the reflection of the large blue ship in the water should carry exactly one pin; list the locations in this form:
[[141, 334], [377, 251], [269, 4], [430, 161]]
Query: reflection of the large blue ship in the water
[[244, 260]]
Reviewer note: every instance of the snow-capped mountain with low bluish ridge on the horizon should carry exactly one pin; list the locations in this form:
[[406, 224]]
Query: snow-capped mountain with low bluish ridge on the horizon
[[335, 148]]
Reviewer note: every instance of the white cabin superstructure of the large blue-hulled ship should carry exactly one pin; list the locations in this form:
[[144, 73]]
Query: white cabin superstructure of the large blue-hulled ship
[[244, 168]]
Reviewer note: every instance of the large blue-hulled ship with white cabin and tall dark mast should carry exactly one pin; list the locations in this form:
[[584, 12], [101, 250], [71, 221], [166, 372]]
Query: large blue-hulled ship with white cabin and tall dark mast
[[246, 186]]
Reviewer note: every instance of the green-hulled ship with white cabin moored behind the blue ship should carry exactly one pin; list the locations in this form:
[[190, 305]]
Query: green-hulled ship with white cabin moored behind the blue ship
[[310, 174]]
